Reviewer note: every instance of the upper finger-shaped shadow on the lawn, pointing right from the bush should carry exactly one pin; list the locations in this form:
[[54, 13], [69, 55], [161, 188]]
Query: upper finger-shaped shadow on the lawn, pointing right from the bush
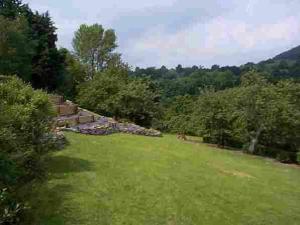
[[64, 164]]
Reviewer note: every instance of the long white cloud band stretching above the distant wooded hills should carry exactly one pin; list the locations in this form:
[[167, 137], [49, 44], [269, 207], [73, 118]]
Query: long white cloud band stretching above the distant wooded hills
[[204, 43]]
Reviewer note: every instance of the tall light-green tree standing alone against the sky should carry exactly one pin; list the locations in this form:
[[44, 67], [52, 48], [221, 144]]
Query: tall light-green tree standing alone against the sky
[[94, 46]]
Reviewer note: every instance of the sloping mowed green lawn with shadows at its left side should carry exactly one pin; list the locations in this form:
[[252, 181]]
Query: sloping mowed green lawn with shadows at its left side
[[135, 180]]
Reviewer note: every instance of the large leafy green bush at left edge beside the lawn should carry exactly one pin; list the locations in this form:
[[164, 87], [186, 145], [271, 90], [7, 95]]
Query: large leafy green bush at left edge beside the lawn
[[25, 120]]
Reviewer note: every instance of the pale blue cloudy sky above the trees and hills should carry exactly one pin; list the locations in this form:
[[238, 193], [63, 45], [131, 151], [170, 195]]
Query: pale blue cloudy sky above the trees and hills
[[186, 32]]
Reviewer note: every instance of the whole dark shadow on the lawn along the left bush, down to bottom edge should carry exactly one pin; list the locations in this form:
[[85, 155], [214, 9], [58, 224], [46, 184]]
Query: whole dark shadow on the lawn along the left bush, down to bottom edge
[[48, 198]]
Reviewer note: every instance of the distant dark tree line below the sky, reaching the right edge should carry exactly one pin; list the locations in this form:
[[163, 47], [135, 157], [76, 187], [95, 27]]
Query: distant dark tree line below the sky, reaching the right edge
[[192, 80]]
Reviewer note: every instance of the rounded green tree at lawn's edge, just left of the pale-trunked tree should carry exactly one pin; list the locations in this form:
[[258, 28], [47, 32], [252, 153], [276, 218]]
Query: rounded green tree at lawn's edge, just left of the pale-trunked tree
[[215, 117]]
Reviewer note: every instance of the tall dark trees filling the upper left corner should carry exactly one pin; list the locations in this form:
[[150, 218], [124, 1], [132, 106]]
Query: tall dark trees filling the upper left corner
[[27, 46]]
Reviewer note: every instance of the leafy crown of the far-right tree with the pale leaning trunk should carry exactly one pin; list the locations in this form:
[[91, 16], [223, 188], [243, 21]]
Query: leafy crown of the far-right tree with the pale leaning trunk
[[270, 113]]
